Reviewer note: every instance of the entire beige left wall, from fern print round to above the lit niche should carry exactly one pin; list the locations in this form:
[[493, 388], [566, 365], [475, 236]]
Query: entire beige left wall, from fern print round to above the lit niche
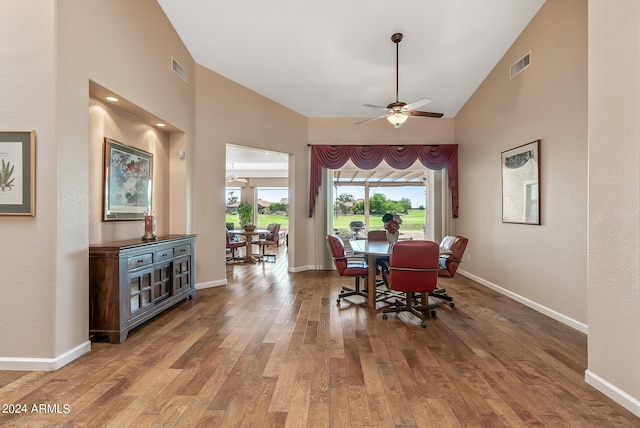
[[50, 52]]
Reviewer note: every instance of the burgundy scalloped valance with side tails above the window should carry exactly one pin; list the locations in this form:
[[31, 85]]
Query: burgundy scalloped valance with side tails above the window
[[369, 157]]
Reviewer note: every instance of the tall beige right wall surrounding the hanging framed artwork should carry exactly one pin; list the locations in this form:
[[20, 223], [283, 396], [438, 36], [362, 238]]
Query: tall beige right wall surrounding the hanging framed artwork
[[543, 266]]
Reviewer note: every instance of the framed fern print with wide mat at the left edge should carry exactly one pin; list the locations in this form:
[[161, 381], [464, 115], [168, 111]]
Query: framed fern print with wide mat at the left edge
[[18, 173]]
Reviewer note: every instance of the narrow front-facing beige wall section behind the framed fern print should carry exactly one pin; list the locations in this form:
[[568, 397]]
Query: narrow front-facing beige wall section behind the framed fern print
[[28, 273]]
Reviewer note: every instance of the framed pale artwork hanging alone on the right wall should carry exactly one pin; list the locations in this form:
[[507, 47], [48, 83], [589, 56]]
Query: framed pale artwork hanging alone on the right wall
[[521, 184]]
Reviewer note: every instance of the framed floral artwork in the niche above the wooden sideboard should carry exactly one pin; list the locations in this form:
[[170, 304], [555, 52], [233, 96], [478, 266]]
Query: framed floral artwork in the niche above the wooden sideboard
[[128, 181]]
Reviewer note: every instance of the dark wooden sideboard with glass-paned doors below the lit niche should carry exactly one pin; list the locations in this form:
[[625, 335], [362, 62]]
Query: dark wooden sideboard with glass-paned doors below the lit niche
[[132, 281]]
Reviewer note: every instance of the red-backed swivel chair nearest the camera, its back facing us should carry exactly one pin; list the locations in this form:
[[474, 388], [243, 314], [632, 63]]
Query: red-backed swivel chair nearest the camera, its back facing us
[[412, 268]]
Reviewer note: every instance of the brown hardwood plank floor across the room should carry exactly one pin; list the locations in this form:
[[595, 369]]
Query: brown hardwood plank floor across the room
[[272, 349]]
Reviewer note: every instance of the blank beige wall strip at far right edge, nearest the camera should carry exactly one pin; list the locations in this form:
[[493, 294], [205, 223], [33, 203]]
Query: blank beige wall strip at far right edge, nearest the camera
[[614, 200]]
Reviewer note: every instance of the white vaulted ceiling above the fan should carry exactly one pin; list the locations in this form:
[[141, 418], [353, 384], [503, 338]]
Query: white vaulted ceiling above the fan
[[327, 58]]
